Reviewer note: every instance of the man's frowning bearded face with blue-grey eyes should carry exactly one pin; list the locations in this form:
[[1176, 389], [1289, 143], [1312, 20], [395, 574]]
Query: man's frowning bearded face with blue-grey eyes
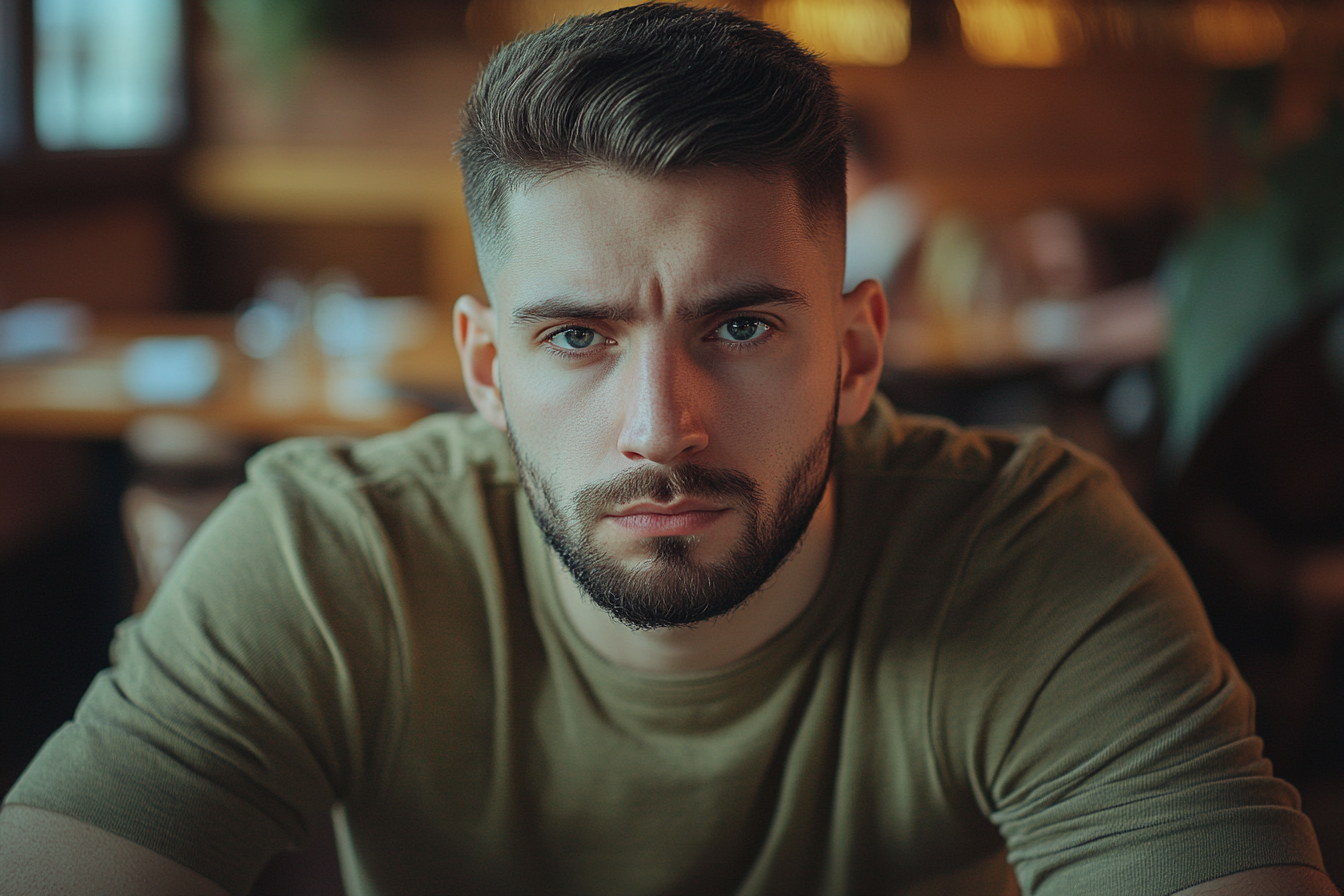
[[669, 365]]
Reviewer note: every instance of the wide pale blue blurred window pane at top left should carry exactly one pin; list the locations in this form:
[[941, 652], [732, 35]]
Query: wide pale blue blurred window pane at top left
[[108, 73]]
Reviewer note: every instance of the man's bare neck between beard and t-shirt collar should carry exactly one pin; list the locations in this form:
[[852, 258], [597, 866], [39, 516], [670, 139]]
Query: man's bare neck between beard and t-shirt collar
[[724, 640]]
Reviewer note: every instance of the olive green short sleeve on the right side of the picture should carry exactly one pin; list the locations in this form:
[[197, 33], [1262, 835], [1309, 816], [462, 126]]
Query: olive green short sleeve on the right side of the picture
[[1114, 740]]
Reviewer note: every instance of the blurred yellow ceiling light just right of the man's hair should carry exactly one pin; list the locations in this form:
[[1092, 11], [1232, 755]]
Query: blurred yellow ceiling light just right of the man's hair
[[865, 33]]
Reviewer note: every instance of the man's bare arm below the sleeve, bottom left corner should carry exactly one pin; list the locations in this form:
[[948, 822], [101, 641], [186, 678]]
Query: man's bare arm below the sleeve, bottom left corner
[[44, 852]]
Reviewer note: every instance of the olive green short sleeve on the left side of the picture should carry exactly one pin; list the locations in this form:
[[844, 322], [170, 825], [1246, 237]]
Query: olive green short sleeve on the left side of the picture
[[248, 699]]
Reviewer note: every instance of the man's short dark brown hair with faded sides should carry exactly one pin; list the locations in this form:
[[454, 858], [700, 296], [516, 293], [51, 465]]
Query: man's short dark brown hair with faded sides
[[650, 91]]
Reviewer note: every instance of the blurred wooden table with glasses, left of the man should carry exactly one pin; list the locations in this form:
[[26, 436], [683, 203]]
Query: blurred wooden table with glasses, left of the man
[[81, 396]]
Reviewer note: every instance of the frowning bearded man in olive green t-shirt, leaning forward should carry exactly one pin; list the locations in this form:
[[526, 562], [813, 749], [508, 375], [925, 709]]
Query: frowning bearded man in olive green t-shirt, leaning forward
[[685, 609]]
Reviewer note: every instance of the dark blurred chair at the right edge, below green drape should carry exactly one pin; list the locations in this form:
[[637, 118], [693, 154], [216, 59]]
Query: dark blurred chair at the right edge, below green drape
[[1259, 517]]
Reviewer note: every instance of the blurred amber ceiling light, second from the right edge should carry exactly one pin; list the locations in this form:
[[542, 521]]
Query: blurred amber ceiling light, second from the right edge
[[1018, 33]]
